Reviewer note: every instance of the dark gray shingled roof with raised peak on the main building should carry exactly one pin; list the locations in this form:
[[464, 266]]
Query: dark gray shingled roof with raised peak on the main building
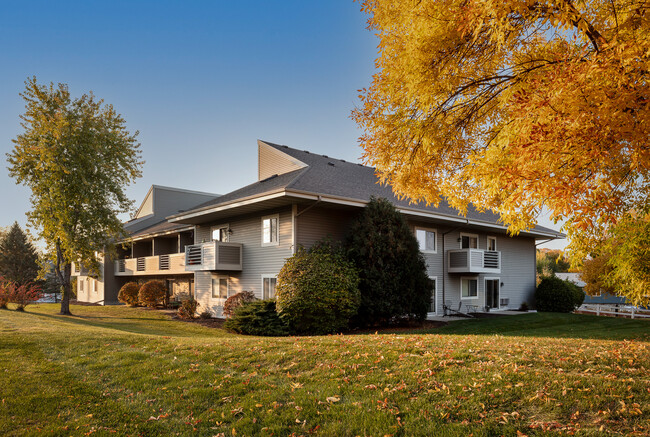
[[332, 180]]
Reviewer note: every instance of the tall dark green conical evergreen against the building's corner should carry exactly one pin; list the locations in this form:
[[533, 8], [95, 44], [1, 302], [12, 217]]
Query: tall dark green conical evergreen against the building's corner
[[393, 279]]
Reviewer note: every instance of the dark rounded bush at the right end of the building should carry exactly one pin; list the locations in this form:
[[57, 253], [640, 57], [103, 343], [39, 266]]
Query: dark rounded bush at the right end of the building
[[556, 295]]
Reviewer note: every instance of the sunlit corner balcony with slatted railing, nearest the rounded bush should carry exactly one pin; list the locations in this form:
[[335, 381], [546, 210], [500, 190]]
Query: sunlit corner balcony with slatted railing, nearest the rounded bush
[[213, 256]]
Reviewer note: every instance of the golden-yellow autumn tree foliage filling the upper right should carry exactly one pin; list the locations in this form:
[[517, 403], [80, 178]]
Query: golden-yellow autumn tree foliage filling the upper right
[[514, 106]]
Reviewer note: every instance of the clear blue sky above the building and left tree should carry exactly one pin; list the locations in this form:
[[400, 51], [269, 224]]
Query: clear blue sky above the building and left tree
[[200, 80]]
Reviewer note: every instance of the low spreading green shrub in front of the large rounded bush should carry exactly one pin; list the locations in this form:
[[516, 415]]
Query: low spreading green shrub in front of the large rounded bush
[[257, 318]]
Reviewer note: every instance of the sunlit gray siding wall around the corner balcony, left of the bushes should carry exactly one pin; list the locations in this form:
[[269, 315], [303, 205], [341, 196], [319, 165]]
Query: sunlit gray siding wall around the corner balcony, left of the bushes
[[257, 260]]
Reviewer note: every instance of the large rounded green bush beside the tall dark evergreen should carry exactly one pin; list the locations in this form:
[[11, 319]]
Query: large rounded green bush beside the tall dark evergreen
[[317, 291]]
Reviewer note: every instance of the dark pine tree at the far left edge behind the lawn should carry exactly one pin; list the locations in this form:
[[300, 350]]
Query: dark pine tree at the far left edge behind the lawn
[[18, 257]]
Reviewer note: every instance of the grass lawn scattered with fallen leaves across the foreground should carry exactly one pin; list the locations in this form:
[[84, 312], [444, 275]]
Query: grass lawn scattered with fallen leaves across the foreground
[[133, 371]]
